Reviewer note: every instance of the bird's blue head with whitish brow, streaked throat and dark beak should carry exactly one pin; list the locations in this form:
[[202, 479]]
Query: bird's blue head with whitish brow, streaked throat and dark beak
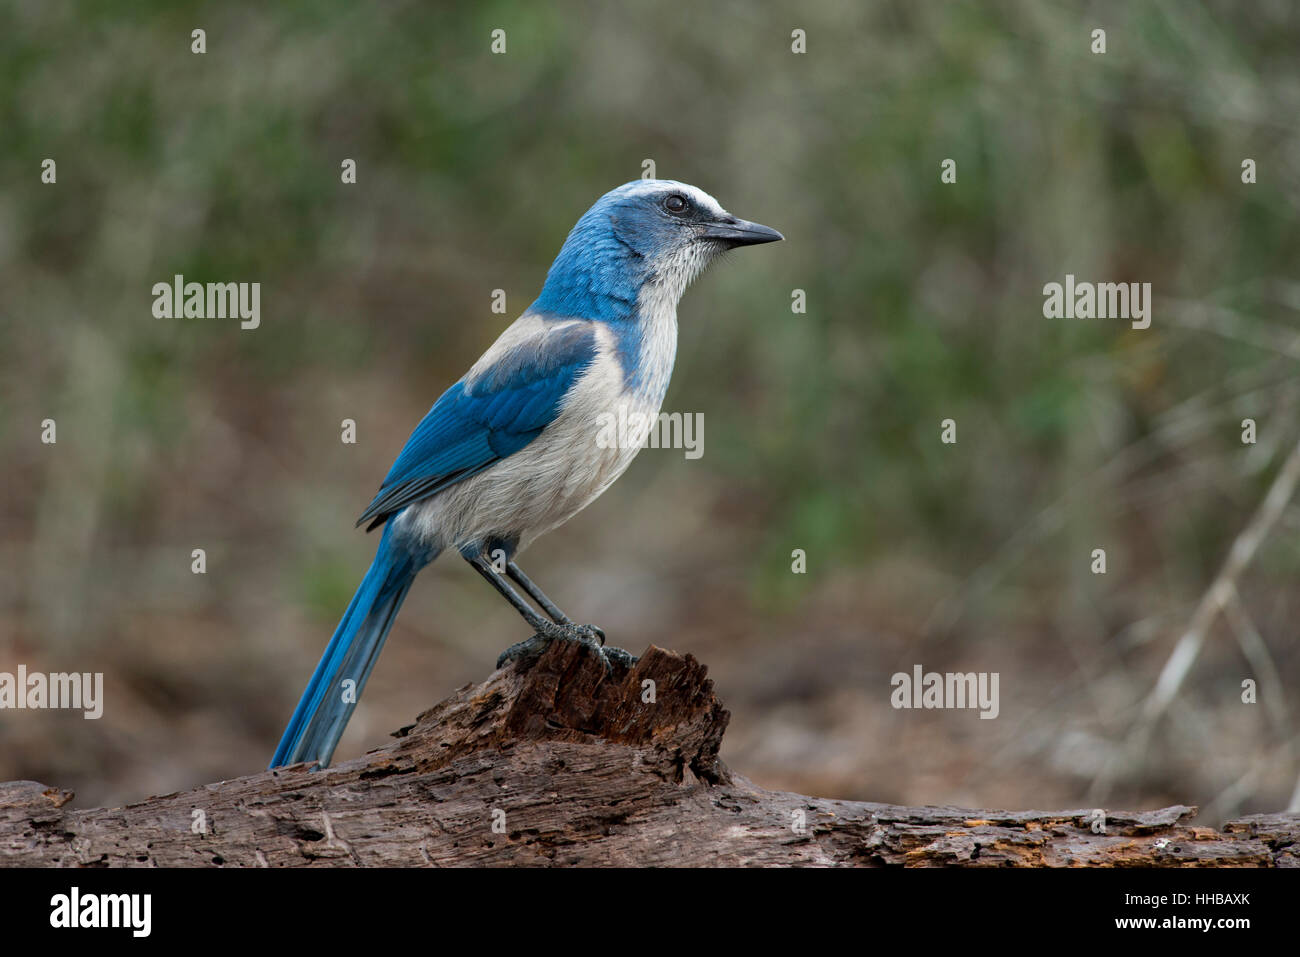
[[647, 232]]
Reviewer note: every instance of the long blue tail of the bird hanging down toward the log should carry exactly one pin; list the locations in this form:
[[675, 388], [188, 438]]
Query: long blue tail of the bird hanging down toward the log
[[337, 683]]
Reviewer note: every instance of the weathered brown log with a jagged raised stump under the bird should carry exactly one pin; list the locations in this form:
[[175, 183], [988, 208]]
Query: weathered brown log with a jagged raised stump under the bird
[[554, 761]]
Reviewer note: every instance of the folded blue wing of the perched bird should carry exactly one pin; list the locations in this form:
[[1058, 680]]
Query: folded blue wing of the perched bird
[[486, 419]]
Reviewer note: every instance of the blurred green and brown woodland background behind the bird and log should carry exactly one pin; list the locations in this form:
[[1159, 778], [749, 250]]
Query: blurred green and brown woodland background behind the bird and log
[[925, 302]]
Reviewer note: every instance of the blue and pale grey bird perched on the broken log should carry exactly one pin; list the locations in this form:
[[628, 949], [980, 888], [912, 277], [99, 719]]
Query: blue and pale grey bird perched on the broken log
[[510, 452]]
